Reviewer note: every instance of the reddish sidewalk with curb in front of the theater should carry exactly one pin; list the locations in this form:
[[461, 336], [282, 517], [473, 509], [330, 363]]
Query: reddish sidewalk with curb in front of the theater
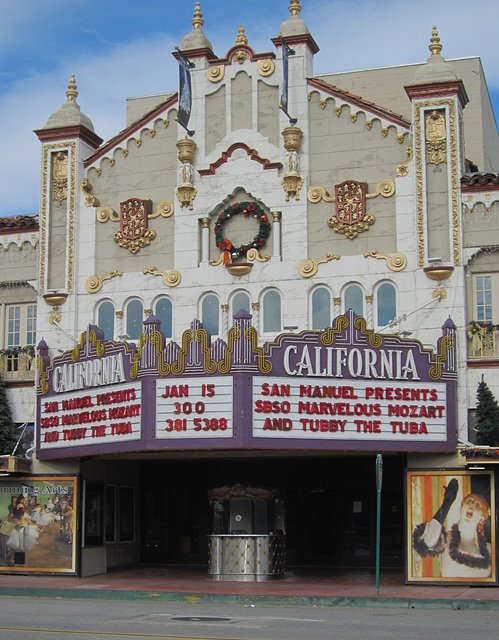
[[192, 585]]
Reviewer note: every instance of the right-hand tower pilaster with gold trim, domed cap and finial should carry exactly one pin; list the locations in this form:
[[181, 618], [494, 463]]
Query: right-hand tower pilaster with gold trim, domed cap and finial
[[438, 99]]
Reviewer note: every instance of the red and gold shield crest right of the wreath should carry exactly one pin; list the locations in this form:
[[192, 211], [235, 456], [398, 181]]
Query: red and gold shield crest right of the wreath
[[351, 218]]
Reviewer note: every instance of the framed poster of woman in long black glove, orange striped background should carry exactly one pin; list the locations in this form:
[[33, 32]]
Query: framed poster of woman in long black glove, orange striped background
[[451, 527]]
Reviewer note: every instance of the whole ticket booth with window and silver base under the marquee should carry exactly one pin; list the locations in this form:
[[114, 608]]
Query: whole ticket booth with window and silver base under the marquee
[[248, 542]]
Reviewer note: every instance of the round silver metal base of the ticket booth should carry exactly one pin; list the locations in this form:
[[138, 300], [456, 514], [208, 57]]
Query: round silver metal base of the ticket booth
[[246, 558]]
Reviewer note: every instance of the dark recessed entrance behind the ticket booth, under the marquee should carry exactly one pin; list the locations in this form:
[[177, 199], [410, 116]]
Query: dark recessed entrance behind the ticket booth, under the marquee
[[330, 507]]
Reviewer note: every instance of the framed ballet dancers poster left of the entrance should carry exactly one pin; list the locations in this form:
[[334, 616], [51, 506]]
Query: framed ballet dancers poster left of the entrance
[[37, 524]]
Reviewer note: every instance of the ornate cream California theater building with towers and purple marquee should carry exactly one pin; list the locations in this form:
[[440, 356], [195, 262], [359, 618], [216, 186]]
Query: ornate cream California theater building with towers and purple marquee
[[267, 303]]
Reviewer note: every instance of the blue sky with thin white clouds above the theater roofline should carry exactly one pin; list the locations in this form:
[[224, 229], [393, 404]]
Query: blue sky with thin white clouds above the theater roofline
[[122, 48]]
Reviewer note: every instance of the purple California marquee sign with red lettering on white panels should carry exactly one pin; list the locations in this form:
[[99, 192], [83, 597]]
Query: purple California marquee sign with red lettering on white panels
[[343, 388]]
